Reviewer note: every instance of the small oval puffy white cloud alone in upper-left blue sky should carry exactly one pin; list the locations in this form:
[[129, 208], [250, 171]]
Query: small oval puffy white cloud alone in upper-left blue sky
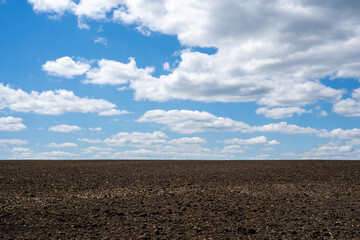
[[65, 67]]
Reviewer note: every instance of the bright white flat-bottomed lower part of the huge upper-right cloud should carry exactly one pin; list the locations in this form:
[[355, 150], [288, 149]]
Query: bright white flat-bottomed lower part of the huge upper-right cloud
[[202, 77]]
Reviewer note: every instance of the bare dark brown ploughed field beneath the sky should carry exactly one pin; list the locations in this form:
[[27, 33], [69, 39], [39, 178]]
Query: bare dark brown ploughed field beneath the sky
[[179, 199]]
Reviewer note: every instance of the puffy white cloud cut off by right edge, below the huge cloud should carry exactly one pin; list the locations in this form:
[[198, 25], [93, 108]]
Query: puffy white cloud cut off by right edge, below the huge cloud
[[349, 107]]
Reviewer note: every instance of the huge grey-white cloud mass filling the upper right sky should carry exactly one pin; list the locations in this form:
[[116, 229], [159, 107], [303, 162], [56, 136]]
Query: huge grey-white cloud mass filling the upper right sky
[[273, 55]]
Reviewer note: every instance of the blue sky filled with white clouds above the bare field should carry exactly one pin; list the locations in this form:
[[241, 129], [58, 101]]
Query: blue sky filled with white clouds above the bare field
[[168, 79]]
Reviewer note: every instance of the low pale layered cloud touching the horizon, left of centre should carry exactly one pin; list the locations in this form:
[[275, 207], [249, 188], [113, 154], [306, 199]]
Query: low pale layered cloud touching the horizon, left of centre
[[151, 145]]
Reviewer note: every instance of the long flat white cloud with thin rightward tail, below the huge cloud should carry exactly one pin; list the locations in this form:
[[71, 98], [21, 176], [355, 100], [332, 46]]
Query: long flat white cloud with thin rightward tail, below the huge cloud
[[188, 122]]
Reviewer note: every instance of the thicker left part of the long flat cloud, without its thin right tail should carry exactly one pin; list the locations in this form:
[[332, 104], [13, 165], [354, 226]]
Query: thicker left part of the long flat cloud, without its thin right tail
[[188, 122]]
